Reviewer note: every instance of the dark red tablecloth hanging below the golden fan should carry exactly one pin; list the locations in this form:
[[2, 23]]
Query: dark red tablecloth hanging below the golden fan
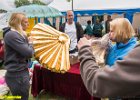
[[68, 85]]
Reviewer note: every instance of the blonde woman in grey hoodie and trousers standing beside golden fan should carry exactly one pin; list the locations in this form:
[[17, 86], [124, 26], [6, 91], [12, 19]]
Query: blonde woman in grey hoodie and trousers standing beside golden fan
[[18, 51]]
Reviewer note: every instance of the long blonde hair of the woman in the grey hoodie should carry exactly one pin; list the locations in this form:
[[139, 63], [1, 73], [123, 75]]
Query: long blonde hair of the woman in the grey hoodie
[[15, 21]]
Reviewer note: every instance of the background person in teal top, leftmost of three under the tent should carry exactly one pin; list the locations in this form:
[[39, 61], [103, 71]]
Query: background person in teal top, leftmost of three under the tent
[[88, 33]]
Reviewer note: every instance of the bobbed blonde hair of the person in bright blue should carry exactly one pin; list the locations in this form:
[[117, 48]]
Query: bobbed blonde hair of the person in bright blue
[[122, 28]]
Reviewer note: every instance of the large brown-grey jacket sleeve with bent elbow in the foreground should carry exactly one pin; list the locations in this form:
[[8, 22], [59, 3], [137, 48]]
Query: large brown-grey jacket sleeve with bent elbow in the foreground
[[122, 80]]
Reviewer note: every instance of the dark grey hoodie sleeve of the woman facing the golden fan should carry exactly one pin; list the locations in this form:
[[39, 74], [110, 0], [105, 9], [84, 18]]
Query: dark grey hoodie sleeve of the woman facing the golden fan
[[18, 43]]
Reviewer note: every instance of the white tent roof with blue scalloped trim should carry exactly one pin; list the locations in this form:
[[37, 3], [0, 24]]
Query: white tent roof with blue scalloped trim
[[100, 7]]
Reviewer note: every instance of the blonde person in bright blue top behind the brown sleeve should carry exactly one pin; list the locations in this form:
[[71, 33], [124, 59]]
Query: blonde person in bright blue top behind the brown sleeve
[[122, 33]]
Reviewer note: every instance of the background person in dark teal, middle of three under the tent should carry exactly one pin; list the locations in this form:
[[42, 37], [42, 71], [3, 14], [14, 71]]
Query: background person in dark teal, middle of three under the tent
[[97, 28]]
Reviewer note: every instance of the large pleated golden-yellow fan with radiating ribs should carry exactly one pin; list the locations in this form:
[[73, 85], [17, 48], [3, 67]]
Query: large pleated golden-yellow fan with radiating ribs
[[51, 47]]
